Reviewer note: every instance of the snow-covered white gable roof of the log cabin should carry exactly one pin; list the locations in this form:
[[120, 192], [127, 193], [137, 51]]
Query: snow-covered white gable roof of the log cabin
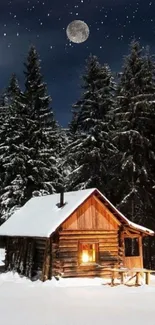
[[41, 216]]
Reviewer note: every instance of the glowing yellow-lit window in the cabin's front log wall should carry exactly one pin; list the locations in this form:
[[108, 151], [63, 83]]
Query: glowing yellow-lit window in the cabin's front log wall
[[88, 253]]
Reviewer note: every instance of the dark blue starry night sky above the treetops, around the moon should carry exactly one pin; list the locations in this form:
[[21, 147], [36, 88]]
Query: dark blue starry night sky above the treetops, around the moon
[[112, 23]]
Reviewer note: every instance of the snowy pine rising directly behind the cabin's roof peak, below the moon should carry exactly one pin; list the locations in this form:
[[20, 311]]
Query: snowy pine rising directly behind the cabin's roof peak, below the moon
[[87, 153]]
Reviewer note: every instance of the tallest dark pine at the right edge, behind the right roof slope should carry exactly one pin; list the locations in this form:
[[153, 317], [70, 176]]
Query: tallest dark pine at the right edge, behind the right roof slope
[[131, 175]]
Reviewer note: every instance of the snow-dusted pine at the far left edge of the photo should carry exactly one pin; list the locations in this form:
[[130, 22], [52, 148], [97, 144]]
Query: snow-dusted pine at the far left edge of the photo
[[12, 157]]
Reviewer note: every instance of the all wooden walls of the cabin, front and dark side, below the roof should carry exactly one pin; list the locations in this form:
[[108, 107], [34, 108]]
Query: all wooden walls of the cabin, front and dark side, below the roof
[[59, 255]]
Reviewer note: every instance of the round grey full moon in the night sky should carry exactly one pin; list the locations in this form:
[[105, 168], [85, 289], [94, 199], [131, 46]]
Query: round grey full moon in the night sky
[[77, 31]]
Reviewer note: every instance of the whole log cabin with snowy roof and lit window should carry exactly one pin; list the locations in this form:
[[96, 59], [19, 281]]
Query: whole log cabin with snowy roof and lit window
[[72, 234]]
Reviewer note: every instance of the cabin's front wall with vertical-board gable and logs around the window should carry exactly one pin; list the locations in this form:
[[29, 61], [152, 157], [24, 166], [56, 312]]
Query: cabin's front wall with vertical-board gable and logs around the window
[[91, 222]]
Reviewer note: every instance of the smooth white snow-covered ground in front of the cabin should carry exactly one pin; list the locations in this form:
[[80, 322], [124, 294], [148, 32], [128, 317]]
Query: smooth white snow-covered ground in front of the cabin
[[74, 302]]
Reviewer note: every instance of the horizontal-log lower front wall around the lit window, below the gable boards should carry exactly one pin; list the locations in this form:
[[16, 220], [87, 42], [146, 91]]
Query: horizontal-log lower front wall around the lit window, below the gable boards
[[68, 253]]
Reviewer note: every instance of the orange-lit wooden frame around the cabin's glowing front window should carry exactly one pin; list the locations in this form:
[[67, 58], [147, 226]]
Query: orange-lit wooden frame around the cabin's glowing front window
[[88, 242]]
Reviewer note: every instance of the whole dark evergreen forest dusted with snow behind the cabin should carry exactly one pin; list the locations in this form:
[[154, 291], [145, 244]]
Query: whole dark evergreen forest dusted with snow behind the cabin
[[109, 143]]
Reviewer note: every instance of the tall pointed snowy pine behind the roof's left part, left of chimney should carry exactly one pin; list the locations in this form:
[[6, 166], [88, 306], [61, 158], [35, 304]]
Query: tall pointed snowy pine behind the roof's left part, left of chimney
[[42, 171]]
